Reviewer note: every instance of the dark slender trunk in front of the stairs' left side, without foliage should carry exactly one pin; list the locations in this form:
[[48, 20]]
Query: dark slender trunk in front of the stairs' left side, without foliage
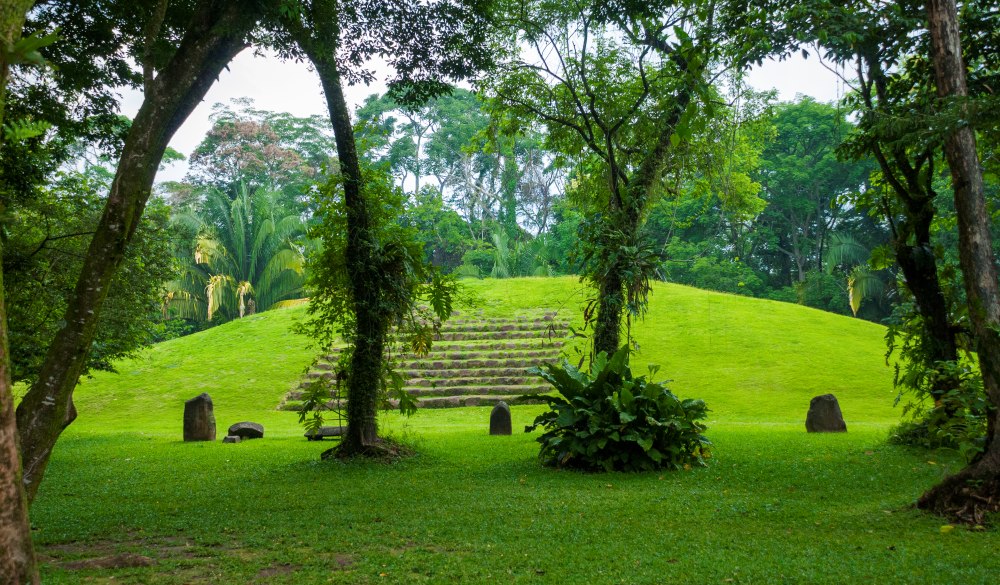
[[371, 331]]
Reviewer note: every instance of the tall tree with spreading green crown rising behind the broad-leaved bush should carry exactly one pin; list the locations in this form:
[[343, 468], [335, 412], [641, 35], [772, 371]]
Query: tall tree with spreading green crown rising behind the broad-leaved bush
[[616, 87]]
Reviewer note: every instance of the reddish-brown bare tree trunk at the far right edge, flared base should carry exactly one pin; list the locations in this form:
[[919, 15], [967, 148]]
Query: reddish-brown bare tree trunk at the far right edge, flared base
[[974, 491]]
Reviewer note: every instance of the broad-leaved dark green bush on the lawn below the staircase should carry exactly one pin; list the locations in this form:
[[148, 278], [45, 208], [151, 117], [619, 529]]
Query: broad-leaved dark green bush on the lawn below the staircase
[[609, 420]]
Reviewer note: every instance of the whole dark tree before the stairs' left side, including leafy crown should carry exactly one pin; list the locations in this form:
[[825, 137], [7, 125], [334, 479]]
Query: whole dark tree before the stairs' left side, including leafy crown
[[430, 43]]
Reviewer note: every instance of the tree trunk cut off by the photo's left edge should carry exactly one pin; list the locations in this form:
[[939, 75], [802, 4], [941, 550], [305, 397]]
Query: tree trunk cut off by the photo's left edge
[[17, 556]]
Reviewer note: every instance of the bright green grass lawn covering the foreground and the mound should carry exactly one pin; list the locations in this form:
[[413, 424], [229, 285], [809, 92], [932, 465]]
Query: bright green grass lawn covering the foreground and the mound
[[126, 501]]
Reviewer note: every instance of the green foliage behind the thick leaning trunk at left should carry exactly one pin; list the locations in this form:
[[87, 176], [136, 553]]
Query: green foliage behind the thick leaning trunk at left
[[45, 240]]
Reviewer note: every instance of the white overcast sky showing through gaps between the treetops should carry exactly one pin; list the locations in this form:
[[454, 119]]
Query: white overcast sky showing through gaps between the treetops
[[291, 87]]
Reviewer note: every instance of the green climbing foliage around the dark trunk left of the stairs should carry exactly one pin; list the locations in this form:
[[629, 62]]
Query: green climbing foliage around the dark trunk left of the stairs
[[414, 297]]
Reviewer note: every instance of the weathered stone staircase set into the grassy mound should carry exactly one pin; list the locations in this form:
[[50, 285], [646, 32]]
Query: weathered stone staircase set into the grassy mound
[[473, 361]]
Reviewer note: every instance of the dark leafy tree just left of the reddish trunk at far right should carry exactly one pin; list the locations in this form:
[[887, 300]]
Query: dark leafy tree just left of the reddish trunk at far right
[[893, 102]]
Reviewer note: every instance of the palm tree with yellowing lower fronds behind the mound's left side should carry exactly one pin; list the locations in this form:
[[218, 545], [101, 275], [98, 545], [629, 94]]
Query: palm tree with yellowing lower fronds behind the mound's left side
[[248, 255]]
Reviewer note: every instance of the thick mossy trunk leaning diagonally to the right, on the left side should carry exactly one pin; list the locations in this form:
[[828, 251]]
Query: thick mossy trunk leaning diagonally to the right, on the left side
[[216, 34]]
